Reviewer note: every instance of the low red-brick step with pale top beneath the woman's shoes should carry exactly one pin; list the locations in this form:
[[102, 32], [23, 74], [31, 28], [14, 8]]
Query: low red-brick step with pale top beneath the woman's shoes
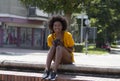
[[31, 76]]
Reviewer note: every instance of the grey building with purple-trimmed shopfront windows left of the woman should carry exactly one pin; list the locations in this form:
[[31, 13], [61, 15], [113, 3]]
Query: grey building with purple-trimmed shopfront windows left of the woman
[[21, 26]]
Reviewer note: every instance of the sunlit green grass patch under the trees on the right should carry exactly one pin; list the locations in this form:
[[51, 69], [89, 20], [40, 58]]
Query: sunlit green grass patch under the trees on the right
[[93, 50]]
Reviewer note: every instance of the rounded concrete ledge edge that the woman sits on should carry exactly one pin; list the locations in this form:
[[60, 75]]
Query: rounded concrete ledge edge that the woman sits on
[[71, 67]]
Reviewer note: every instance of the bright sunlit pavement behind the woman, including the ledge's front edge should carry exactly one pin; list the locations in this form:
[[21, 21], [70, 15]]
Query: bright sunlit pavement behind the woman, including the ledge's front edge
[[15, 57]]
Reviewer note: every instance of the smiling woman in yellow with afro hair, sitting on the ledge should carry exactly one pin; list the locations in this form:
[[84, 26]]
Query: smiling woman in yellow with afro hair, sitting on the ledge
[[61, 45]]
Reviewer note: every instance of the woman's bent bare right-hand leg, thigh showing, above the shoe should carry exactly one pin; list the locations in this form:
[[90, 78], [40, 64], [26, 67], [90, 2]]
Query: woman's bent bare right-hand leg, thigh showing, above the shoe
[[61, 56]]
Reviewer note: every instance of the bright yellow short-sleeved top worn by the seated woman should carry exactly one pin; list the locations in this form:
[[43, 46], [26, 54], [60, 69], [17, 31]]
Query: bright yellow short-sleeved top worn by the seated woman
[[67, 39]]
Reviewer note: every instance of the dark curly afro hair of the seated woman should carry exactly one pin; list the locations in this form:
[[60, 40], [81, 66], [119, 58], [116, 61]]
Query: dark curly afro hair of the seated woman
[[60, 19]]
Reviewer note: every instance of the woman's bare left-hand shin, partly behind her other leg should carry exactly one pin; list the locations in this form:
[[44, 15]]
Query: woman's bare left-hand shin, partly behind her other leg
[[50, 57]]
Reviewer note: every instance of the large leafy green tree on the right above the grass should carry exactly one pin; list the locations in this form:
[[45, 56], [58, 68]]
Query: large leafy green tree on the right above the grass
[[105, 14]]
